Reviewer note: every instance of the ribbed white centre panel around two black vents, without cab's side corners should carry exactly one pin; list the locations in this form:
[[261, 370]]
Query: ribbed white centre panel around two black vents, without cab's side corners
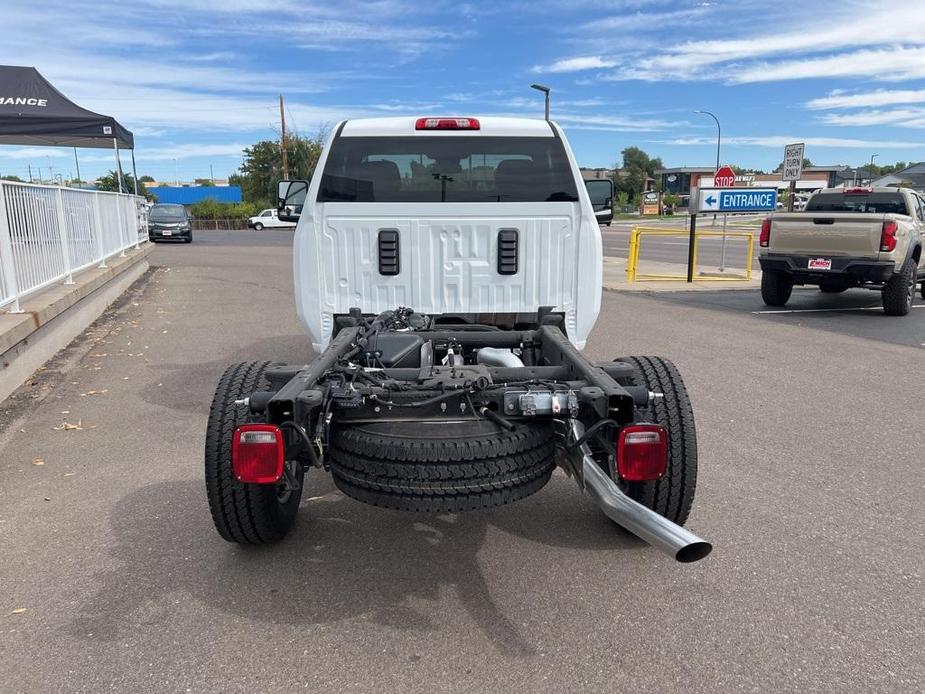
[[446, 266]]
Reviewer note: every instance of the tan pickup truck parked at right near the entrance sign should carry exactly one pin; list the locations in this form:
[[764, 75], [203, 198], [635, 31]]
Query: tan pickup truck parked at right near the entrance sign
[[847, 237]]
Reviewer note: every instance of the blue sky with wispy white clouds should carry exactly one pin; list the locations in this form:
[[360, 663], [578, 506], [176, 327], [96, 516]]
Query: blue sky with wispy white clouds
[[197, 80]]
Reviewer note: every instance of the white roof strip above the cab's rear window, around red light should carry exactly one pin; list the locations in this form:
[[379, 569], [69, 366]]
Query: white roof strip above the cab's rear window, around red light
[[490, 126]]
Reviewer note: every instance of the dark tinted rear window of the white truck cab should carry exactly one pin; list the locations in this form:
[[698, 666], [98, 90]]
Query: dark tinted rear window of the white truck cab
[[447, 169]]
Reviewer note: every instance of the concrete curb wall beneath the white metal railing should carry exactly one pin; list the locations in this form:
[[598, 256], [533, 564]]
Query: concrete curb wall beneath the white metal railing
[[58, 314]]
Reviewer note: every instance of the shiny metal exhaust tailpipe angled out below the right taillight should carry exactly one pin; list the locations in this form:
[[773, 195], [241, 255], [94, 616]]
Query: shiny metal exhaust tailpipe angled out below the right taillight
[[643, 522]]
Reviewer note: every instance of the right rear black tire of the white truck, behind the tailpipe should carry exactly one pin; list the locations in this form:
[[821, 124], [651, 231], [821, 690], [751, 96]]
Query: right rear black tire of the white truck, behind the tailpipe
[[673, 494]]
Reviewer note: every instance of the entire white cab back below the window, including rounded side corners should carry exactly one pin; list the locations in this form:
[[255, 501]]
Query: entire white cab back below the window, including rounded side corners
[[448, 264]]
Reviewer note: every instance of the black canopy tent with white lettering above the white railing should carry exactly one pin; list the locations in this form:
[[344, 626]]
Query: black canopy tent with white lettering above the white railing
[[33, 112]]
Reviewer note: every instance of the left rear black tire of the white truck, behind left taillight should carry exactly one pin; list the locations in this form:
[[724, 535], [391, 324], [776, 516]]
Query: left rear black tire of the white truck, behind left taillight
[[244, 513]]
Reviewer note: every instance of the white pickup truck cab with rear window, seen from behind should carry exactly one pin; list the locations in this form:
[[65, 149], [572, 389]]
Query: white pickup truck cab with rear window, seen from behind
[[450, 216]]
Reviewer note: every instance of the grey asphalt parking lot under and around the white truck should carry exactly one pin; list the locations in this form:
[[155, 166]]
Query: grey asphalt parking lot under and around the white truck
[[810, 488]]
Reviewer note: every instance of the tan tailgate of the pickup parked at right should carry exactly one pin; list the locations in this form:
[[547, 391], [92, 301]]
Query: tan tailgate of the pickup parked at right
[[827, 233]]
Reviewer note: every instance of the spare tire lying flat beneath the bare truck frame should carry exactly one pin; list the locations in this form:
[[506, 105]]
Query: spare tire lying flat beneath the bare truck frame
[[441, 466]]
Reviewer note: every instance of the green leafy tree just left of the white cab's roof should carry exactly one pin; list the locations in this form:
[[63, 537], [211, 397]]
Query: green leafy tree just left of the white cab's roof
[[262, 166]]
